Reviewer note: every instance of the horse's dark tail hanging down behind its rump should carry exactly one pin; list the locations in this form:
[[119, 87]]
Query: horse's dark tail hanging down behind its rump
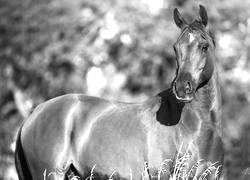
[[20, 160]]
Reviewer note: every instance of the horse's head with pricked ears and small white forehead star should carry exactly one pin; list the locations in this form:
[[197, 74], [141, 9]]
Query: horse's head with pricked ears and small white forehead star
[[194, 51]]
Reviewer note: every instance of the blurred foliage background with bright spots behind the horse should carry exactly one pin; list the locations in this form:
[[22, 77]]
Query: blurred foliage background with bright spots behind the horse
[[116, 49]]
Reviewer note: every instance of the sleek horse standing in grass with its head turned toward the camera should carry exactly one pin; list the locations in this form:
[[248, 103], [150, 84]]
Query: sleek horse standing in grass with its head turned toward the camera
[[79, 135]]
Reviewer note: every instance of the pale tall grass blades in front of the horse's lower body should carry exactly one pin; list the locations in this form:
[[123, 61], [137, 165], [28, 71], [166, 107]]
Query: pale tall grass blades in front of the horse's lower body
[[180, 170]]
